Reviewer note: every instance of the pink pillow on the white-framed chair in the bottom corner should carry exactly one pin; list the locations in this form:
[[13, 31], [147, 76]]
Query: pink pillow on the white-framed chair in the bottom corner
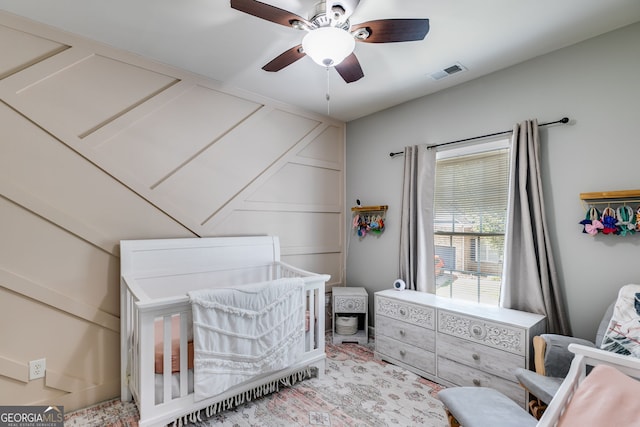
[[606, 397]]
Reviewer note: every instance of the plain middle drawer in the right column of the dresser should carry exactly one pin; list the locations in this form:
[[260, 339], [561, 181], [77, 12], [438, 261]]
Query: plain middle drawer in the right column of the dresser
[[480, 357]]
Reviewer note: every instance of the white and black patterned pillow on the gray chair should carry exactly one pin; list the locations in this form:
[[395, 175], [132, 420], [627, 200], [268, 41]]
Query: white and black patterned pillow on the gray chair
[[623, 334]]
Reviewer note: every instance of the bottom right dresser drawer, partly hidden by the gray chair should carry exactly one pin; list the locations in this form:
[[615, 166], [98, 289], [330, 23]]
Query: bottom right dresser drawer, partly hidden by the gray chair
[[466, 376]]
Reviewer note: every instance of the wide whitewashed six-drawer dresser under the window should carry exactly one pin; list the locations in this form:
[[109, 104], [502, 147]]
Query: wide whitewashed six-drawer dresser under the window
[[455, 343]]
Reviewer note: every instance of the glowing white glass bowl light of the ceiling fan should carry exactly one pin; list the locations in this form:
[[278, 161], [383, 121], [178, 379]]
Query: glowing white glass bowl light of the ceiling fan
[[328, 46]]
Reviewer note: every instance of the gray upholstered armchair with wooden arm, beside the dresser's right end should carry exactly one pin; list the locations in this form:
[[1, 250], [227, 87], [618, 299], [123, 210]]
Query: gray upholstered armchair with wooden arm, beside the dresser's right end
[[552, 361]]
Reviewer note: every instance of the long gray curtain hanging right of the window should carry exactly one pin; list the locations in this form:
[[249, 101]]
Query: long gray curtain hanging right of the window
[[530, 280]]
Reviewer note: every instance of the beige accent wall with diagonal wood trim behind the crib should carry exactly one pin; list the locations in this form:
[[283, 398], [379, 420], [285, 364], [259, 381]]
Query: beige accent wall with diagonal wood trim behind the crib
[[99, 145]]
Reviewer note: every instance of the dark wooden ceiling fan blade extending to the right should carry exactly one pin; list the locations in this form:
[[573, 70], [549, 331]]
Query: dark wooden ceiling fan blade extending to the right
[[393, 30]]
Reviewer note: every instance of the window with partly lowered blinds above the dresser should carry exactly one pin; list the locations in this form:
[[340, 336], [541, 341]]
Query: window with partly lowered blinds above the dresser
[[470, 214]]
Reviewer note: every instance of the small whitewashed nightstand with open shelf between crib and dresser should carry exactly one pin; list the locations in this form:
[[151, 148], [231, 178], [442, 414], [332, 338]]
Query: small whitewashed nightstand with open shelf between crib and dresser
[[350, 315]]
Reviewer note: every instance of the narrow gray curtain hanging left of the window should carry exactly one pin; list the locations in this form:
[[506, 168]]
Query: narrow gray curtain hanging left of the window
[[416, 221]]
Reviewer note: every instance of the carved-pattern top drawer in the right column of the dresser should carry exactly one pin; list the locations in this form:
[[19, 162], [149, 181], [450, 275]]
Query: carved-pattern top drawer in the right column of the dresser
[[496, 335]]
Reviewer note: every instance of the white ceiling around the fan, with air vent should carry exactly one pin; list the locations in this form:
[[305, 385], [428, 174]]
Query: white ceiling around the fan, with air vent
[[209, 38]]
